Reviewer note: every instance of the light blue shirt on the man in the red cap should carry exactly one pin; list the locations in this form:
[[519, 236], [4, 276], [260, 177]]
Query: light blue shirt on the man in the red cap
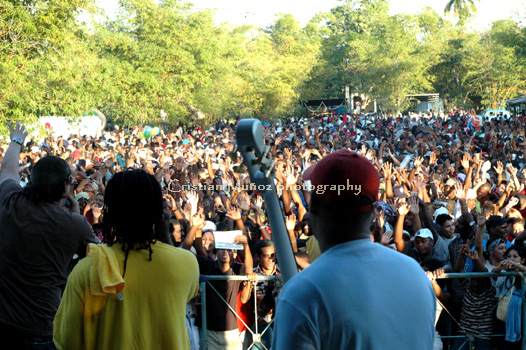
[[357, 295]]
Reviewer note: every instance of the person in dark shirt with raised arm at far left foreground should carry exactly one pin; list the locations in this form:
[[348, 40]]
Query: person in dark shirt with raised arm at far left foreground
[[36, 250]]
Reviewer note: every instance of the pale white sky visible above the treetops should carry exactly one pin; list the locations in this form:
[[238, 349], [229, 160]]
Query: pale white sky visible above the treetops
[[263, 12]]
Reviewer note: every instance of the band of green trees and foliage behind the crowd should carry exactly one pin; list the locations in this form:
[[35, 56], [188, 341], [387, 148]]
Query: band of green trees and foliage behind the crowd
[[165, 55]]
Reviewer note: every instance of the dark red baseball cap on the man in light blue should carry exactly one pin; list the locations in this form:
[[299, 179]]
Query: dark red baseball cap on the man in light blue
[[345, 178]]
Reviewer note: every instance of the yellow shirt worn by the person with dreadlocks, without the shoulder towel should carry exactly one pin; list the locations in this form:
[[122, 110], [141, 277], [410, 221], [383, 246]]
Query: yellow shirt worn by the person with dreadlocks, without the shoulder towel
[[149, 313]]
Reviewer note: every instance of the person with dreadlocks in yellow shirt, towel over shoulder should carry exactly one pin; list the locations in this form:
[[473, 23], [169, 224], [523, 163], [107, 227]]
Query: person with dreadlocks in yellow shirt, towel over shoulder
[[130, 292]]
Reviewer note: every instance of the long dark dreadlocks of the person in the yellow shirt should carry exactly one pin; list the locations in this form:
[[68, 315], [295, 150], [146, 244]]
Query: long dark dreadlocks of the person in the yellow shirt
[[133, 209]]
